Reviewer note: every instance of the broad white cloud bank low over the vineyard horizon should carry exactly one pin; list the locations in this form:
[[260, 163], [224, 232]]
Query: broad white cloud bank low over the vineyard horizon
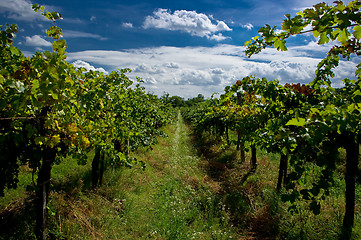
[[188, 71]]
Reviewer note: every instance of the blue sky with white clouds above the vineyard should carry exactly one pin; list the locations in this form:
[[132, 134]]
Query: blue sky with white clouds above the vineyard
[[183, 48]]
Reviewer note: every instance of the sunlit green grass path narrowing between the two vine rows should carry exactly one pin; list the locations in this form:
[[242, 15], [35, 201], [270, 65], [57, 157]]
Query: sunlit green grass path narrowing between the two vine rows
[[171, 199]]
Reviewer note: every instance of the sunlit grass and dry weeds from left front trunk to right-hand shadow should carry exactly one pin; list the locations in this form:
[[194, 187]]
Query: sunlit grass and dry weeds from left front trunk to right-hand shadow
[[171, 199]]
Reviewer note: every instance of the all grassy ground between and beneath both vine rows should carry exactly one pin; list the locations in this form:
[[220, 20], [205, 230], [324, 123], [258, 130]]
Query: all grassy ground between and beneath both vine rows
[[192, 188]]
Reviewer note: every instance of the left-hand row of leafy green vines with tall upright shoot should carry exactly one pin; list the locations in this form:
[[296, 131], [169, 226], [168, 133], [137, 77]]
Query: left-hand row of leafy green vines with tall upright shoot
[[50, 110]]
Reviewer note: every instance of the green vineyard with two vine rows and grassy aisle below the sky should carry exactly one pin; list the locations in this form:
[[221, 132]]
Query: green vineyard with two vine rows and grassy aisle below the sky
[[94, 156]]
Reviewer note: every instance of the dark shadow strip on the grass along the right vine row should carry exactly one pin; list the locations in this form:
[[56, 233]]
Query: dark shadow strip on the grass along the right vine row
[[241, 188]]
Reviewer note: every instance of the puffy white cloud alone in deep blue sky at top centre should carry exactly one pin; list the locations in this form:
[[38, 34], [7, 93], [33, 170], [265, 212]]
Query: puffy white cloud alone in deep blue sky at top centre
[[196, 24]]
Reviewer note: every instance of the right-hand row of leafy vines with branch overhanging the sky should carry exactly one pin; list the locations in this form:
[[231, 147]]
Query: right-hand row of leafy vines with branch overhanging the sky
[[305, 124]]
